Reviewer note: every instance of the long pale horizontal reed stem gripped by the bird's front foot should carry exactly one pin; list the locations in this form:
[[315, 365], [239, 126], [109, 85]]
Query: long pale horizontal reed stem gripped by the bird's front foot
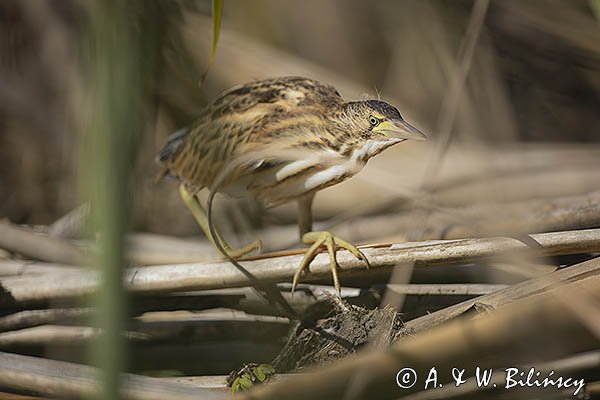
[[170, 278]]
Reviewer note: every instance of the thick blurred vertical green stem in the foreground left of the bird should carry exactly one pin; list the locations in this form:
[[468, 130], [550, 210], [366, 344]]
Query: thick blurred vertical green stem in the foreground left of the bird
[[113, 113]]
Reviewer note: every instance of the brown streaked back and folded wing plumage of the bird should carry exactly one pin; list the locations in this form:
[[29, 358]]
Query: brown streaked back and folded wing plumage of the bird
[[246, 119]]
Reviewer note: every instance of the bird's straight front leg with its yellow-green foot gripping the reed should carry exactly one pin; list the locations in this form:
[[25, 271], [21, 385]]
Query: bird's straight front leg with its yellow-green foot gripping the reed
[[319, 239]]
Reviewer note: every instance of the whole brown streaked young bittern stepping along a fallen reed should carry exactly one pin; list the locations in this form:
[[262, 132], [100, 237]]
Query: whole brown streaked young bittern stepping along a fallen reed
[[281, 139]]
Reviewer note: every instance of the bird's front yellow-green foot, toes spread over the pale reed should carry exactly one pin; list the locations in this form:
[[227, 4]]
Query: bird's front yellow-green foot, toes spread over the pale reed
[[333, 244]]
